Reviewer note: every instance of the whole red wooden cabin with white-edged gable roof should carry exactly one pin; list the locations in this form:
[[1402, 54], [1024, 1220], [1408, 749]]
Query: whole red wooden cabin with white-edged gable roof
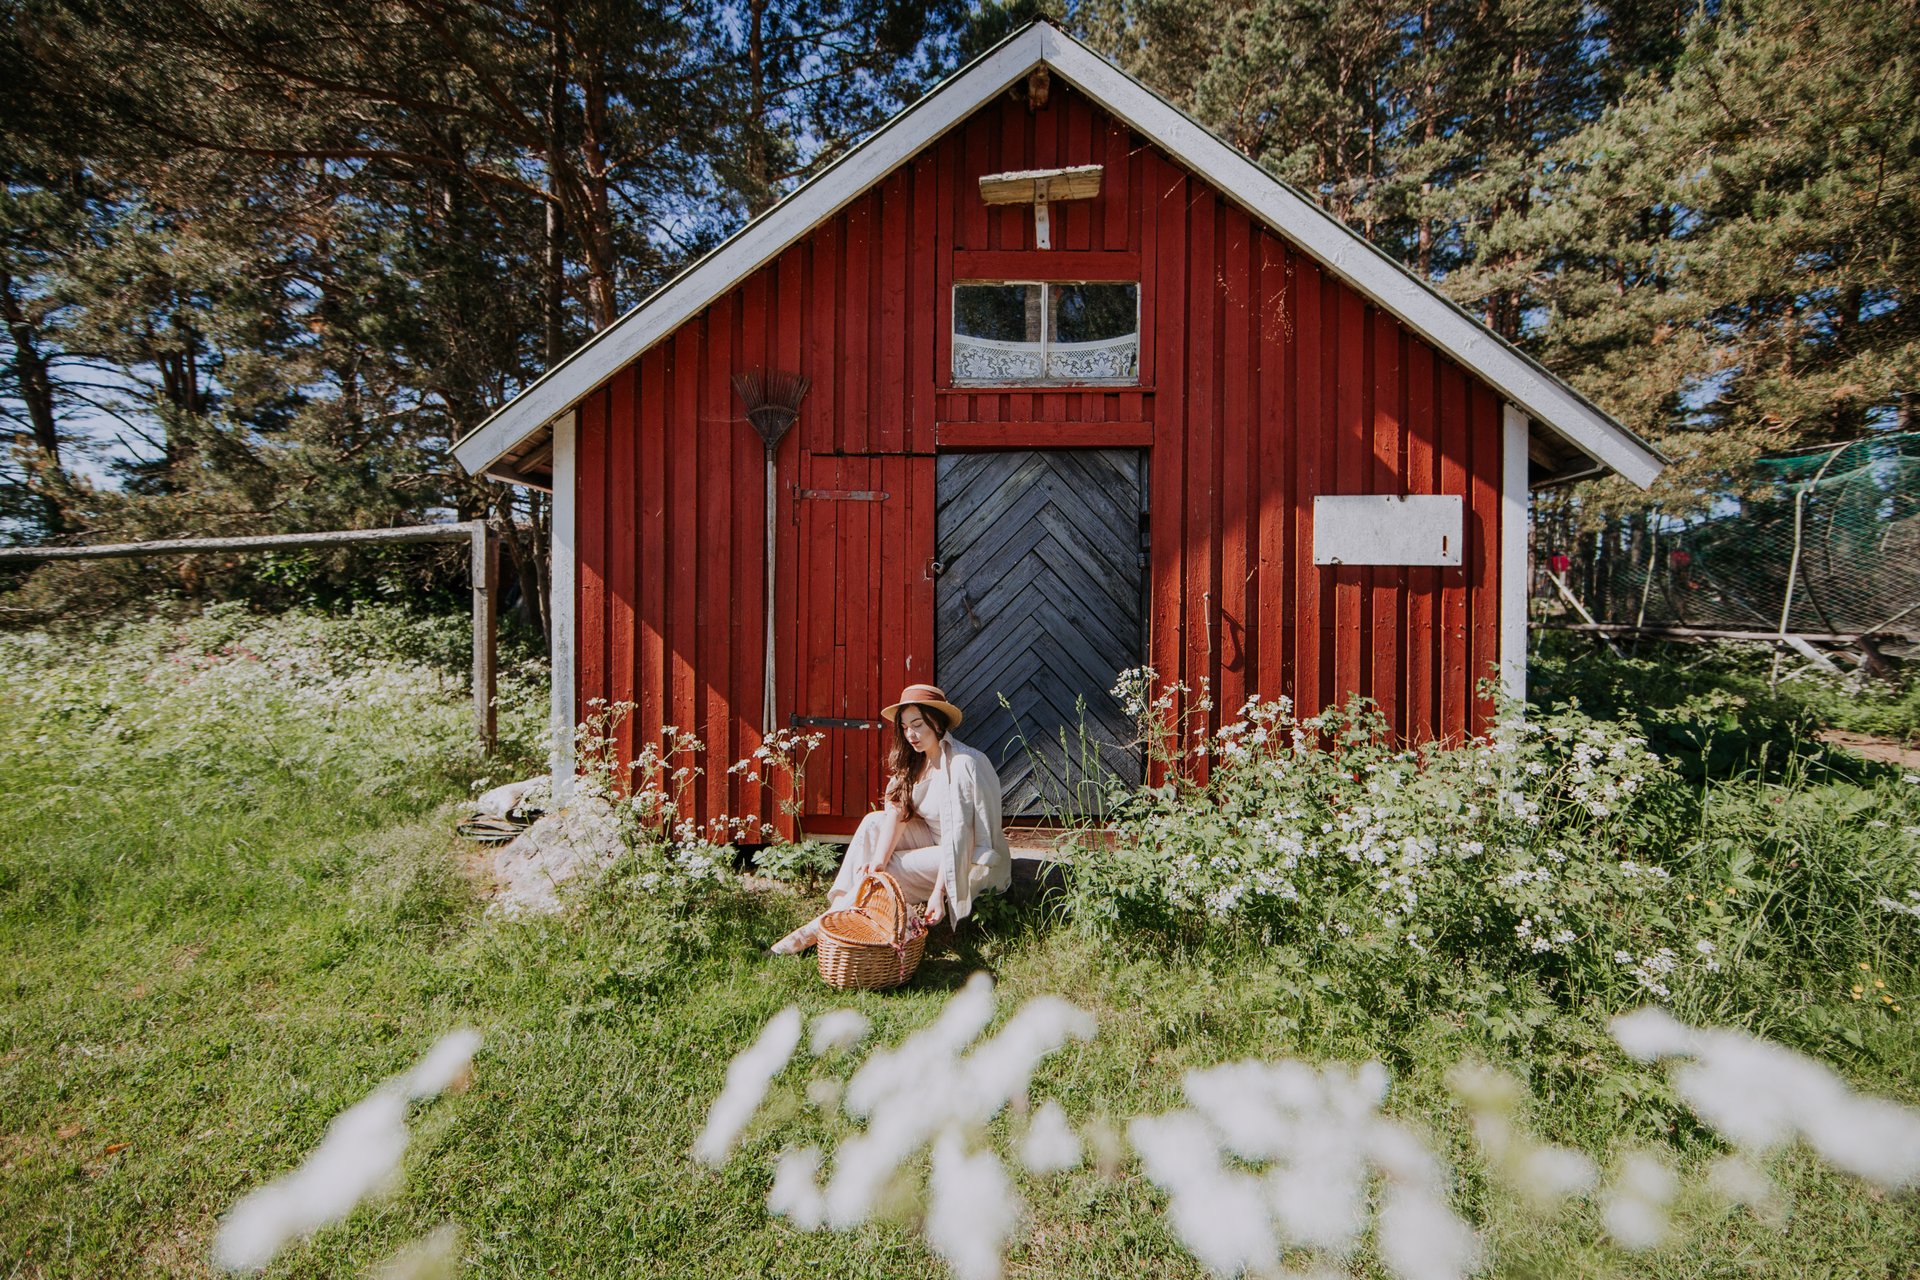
[[992, 490]]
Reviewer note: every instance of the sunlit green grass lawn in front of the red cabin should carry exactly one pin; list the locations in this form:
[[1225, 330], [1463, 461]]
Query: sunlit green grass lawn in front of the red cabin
[[231, 905]]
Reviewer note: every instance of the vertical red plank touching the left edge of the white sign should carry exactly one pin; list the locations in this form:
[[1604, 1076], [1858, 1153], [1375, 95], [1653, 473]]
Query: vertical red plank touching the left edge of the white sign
[[1307, 429]]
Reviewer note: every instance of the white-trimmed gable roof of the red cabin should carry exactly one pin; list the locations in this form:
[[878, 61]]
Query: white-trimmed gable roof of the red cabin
[[1568, 419]]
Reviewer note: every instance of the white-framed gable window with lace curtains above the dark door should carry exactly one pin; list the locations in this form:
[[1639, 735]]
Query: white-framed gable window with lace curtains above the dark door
[[1030, 333]]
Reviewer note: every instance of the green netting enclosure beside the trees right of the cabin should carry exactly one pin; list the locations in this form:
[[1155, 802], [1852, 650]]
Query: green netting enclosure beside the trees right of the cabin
[[1852, 511]]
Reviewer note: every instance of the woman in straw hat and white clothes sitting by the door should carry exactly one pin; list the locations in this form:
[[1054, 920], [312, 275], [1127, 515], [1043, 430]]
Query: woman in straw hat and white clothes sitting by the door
[[938, 832]]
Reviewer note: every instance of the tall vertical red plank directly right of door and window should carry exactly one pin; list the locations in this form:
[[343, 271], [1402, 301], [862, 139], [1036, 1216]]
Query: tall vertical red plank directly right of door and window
[[1168, 483]]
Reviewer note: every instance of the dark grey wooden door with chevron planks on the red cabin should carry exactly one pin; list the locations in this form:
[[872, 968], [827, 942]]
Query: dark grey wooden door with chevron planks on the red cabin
[[1040, 602]]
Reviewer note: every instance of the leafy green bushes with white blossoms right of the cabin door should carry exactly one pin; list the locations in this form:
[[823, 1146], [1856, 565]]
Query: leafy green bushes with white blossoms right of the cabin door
[[1558, 859]]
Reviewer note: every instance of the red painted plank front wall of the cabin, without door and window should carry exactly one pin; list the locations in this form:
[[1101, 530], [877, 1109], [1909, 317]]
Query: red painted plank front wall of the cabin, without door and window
[[1262, 383]]
